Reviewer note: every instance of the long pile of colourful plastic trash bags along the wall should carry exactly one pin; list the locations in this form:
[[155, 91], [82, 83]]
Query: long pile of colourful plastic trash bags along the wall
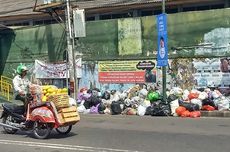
[[147, 100]]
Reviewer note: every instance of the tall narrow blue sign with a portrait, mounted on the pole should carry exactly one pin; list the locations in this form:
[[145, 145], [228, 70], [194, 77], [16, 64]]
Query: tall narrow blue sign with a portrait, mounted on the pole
[[162, 47]]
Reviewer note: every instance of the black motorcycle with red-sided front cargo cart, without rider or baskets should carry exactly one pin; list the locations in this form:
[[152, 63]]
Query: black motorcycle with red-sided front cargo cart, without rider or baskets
[[39, 118]]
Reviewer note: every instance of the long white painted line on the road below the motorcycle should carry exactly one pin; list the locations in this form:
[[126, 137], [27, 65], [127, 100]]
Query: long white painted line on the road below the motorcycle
[[62, 146]]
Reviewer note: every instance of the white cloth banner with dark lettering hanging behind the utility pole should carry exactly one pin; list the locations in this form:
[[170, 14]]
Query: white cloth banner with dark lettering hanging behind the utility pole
[[55, 71]]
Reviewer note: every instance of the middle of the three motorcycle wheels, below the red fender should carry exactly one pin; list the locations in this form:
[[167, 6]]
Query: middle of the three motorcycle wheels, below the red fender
[[41, 130]]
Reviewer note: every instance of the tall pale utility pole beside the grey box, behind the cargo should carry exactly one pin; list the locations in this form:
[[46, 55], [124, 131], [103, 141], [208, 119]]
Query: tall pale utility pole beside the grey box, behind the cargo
[[70, 51]]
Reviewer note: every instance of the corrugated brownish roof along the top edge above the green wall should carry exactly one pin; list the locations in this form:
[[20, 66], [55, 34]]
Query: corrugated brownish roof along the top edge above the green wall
[[13, 9]]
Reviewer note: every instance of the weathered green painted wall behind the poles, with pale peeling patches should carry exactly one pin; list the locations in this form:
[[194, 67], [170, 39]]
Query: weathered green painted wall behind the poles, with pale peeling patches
[[190, 34]]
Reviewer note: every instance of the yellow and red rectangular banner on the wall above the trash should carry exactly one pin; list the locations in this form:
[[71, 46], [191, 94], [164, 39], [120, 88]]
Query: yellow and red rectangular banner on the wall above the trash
[[127, 72]]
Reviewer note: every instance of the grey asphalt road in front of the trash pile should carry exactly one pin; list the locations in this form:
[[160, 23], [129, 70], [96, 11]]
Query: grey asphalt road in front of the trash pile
[[106, 133]]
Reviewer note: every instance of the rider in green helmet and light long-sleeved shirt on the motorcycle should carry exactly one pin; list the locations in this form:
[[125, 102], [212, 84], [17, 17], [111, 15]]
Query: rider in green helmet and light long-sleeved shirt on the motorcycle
[[21, 83]]
